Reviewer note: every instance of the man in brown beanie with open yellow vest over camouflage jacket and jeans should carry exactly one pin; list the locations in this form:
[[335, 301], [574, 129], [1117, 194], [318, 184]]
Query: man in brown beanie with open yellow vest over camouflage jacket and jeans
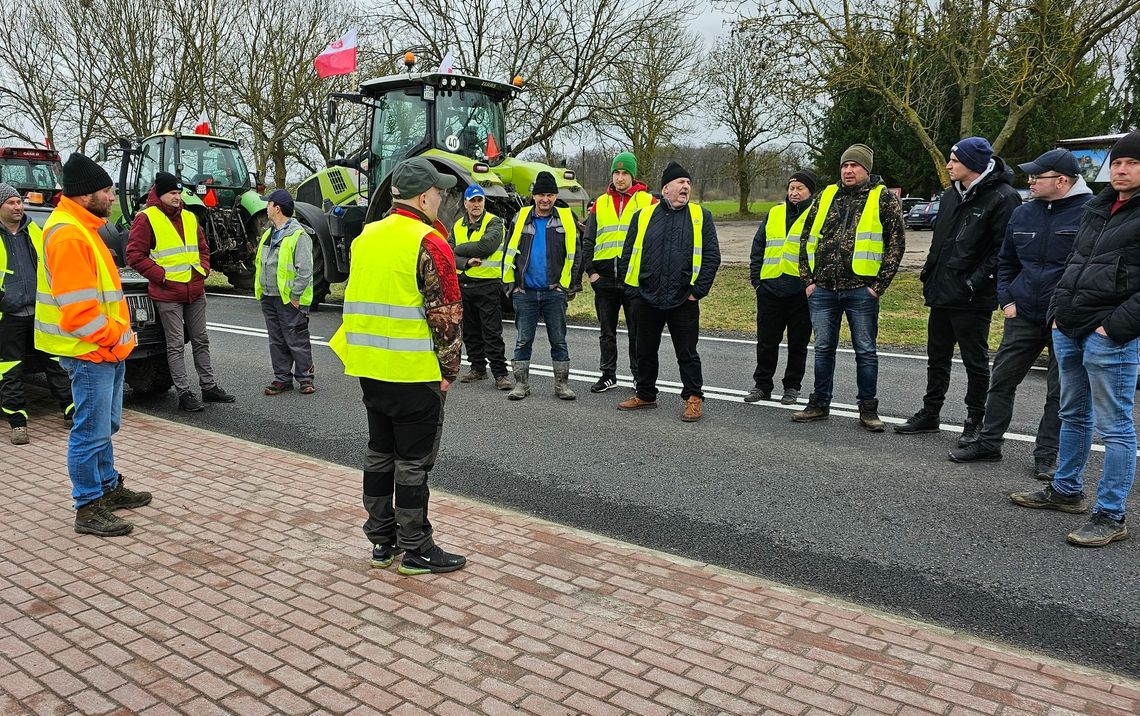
[[853, 242]]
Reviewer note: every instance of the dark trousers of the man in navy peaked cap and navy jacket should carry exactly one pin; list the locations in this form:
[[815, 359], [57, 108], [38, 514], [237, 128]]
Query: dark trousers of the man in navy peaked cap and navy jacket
[[1021, 345]]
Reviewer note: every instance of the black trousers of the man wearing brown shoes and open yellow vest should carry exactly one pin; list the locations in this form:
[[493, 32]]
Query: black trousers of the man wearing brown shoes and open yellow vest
[[685, 327]]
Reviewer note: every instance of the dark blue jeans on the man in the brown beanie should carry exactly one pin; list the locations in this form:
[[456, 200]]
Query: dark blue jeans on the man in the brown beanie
[[828, 308]]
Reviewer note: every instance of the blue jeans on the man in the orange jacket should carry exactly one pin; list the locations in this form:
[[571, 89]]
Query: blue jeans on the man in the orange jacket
[[97, 389]]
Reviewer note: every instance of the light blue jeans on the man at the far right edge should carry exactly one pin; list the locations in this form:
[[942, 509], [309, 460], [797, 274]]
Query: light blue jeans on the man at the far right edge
[[1098, 386]]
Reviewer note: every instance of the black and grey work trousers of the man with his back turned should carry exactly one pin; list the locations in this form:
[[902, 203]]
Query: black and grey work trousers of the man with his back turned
[[405, 425]]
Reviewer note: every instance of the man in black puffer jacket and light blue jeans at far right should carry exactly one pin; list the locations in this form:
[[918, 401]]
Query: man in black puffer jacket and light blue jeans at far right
[[1096, 321]]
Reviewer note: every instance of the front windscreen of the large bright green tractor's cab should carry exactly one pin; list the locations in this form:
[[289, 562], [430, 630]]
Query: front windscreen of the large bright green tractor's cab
[[470, 124]]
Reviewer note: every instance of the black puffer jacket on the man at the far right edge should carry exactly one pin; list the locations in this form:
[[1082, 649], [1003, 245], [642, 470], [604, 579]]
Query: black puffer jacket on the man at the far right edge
[[1101, 286]]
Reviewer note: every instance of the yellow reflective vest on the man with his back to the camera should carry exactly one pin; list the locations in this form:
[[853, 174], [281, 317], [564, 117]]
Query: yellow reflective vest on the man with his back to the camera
[[385, 333]]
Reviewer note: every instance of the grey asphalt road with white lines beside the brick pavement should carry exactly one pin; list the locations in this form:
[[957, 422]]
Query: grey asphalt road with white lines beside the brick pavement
[[881, 519]]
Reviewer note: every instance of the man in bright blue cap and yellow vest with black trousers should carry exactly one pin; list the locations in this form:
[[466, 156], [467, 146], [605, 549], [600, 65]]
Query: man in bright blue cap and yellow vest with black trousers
[[477, 240]]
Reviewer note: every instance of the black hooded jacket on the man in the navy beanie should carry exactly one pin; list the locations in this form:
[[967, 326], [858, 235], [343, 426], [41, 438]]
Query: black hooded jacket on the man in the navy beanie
[[960, 271]]
